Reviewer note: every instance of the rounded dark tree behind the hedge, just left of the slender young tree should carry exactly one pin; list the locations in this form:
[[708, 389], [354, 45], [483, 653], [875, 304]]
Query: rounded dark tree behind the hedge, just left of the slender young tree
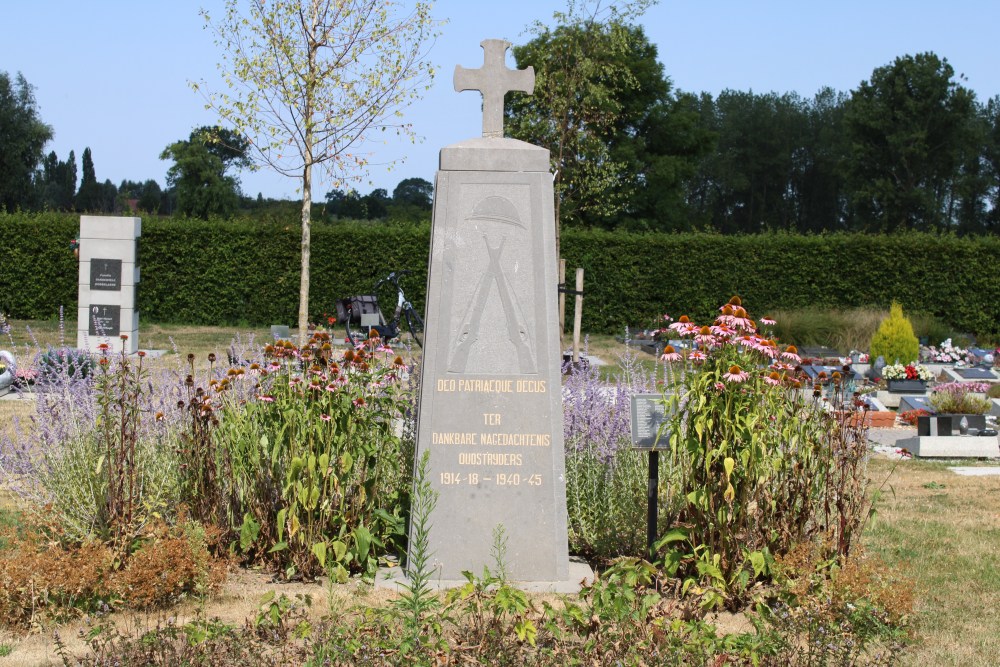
[[200, 175]]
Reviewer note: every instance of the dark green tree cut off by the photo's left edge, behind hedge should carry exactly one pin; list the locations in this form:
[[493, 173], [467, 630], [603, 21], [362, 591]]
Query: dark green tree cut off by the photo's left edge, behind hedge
[[22, 139]]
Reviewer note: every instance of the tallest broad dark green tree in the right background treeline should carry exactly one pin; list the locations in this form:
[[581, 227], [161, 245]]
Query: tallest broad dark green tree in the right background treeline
[[908, 127]]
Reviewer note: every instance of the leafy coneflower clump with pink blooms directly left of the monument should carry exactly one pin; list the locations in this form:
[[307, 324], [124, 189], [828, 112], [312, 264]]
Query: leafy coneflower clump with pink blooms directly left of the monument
[[315, 458]]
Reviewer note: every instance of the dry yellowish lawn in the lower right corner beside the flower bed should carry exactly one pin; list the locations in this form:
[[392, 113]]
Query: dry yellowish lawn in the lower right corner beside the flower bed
[[943, 530]]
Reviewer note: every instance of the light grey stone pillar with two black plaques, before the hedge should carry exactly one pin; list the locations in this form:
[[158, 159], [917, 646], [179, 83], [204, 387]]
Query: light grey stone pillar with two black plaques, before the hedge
[[109, 273]]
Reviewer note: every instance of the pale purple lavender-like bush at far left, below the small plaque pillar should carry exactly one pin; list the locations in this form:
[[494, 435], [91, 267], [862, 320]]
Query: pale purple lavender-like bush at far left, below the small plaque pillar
[[93, 454]]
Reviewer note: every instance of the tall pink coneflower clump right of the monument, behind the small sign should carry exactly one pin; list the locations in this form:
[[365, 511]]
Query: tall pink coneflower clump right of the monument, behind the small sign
[[758, 462]]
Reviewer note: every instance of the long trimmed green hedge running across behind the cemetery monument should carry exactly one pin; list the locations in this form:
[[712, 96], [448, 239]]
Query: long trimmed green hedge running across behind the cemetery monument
[[231, 273]]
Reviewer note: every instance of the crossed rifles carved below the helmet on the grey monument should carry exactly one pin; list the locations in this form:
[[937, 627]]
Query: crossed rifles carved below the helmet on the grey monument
[[517, 331]]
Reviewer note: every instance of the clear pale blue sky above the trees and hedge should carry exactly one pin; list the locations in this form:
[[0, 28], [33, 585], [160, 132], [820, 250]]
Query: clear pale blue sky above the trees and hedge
[[112, 74]]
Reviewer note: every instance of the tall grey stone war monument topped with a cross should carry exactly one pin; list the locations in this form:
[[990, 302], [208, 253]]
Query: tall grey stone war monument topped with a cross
[[490, 396]]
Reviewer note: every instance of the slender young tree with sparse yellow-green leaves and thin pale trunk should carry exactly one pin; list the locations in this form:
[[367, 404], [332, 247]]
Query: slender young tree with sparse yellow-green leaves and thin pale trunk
[[312, 80]]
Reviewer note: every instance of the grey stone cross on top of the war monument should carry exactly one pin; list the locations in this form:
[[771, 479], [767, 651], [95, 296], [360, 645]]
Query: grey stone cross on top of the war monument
[[494, 80]]
